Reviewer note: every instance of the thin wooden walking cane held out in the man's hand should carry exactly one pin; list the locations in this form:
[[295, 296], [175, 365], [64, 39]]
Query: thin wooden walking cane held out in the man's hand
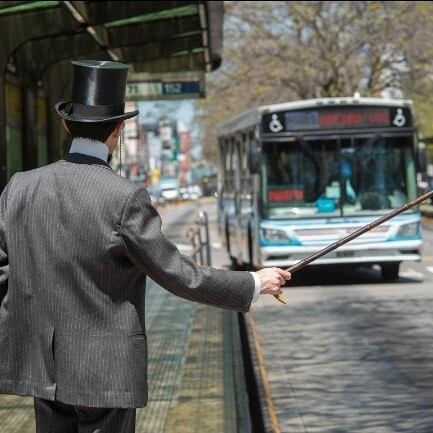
[[304, 262]]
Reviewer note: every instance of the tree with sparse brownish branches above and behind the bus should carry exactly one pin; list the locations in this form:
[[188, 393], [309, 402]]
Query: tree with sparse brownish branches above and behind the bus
[[284, 50]]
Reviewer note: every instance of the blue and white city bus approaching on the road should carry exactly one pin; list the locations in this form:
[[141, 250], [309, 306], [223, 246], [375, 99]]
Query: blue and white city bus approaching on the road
[[297, 176]]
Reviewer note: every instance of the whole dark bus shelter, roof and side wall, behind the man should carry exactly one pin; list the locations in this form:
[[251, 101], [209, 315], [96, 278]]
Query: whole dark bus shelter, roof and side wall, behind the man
[[39, 38]]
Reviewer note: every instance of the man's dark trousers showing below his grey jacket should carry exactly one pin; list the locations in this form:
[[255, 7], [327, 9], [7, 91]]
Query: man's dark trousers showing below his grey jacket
[[56, 417]]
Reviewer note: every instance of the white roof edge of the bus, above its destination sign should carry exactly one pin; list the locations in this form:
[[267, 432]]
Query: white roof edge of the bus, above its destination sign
[[252, 117]]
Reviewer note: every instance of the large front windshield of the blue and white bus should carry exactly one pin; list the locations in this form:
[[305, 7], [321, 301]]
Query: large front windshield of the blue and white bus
[[337, 177]]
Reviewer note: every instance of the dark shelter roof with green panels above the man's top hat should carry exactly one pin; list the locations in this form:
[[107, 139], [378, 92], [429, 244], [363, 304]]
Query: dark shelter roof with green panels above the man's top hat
[[152, 36]]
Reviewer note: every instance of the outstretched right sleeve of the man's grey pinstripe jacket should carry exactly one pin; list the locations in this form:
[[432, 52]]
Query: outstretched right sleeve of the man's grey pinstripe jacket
[[150, 251]]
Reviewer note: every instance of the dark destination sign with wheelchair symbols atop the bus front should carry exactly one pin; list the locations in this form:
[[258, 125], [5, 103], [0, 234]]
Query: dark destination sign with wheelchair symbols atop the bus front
[[337, 118]]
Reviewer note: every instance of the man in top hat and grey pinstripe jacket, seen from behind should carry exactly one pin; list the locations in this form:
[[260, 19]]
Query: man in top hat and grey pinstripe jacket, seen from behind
[[76, 244]]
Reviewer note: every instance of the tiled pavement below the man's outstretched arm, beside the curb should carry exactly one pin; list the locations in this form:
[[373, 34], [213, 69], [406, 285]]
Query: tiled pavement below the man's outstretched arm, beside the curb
[[191, 383]]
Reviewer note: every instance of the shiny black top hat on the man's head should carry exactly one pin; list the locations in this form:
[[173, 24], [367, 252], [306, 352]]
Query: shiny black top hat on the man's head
[[98, 93]]
